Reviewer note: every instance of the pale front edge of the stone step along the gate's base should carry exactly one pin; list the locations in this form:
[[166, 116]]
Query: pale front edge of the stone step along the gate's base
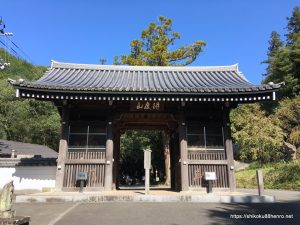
[[147, 198]]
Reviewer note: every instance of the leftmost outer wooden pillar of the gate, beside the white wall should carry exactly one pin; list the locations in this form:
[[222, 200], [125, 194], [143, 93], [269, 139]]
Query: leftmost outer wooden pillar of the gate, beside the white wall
[[63, 148]]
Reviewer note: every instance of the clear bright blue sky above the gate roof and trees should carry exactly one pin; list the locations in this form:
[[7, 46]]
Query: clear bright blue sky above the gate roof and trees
[[236, 31]]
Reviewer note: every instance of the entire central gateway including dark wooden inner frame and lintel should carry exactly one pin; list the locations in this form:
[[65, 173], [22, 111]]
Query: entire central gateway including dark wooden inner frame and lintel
[[135, 132]]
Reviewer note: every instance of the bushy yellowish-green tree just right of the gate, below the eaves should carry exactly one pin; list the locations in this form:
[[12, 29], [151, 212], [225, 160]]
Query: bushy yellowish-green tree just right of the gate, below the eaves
[[258, 136]]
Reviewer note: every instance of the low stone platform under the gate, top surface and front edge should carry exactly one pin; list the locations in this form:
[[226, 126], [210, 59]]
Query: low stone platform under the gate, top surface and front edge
[[139, 196]]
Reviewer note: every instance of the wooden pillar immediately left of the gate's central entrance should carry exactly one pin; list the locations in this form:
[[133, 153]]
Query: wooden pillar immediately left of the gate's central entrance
[[109, 157]]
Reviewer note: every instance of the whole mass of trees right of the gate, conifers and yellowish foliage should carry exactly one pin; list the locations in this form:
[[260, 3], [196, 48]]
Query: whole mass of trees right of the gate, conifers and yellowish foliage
[[271, 132]]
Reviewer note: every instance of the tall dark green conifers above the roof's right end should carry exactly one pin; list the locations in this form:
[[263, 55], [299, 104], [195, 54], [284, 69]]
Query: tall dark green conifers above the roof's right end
[[284, 59]]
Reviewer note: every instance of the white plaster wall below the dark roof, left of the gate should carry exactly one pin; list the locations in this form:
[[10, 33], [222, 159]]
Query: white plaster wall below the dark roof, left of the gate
[[29, 177]]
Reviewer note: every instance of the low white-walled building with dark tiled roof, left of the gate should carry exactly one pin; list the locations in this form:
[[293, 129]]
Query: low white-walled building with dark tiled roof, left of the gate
[[30, 166]]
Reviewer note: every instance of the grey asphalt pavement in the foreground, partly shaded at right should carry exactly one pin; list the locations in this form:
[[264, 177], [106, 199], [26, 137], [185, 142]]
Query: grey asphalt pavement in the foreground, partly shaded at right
[[162, 213]]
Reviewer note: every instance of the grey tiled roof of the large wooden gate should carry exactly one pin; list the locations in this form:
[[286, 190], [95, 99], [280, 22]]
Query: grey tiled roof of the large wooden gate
[[69, 77]]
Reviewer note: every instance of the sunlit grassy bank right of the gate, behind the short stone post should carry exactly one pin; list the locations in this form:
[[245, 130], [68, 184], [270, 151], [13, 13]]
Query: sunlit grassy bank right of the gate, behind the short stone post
[[281, 175]]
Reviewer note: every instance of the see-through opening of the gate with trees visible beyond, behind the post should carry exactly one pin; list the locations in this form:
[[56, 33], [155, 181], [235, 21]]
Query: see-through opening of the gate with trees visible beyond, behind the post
[[131, 172]]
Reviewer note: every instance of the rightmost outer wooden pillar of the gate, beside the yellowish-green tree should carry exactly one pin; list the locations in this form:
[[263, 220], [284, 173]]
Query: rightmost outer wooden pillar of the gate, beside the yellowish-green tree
[[229, 148]]
